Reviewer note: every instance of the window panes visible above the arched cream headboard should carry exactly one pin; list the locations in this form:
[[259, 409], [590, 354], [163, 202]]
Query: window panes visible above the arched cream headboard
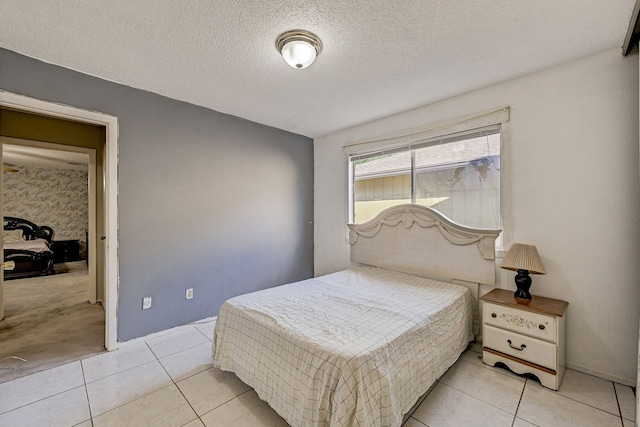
[[456, 174]]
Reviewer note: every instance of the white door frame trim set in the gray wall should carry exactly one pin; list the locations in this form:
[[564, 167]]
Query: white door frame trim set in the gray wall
[[51, 109]]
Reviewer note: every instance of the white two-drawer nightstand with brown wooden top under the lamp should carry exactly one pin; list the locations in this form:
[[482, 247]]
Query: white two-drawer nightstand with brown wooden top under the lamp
[[527, 338]]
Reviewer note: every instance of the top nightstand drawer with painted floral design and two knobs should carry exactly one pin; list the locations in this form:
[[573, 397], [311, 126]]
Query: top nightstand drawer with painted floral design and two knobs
[[520, 321]]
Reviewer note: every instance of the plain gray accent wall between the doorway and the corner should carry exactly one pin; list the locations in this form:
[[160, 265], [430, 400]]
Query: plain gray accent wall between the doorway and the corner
[[206, 200]]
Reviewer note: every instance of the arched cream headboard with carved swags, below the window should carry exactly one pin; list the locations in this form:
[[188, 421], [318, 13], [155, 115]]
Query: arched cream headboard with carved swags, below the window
[[419, 240]]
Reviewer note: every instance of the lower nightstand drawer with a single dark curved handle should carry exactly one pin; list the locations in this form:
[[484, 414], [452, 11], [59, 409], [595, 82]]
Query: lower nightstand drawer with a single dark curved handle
[[526, 348]]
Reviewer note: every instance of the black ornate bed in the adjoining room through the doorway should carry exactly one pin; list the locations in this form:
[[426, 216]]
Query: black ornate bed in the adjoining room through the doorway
[[29, 246]]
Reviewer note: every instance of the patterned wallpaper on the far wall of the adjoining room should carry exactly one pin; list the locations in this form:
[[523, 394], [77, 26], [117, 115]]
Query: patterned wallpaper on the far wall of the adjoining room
[[54, 197]]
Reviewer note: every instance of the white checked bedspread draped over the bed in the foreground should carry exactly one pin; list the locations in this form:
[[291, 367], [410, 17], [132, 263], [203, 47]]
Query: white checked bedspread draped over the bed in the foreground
[[352, 348]]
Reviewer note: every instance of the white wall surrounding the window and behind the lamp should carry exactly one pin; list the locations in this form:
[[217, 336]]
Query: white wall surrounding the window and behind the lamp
[[570, 173]]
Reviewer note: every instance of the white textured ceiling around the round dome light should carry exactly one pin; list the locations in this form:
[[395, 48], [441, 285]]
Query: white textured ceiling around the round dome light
[[380, 57]]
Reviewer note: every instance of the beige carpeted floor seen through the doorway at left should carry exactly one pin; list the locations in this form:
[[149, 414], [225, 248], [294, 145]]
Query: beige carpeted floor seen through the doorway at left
[[48, 321]]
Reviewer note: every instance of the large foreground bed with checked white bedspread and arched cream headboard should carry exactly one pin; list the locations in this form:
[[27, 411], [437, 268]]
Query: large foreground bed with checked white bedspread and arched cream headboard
[[359, 347]]
